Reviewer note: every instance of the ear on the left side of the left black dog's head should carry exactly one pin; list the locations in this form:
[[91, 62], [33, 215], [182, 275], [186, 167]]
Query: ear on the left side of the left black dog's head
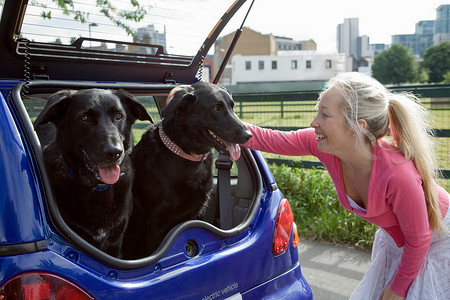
[[55, 108]]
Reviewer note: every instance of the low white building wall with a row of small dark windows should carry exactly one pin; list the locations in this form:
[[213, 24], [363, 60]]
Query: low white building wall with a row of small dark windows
[[320, 68]]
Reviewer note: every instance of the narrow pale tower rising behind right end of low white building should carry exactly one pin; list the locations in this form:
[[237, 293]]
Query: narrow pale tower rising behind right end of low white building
[[347, 37]]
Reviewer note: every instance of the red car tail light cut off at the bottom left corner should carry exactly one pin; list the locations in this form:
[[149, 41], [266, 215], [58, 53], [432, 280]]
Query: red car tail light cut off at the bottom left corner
[[41, 286]]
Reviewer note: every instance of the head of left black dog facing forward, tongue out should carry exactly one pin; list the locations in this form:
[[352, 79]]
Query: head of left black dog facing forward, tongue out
[[93, 127]]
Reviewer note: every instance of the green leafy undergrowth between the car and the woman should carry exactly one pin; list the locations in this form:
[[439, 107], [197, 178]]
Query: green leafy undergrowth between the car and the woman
[[317, 211]]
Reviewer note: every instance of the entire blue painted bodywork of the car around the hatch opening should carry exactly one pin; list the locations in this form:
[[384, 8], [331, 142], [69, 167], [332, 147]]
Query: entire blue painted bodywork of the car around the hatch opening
[[224, 266]]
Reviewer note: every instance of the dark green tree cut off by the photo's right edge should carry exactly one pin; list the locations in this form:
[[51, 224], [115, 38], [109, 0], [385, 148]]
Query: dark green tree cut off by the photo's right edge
[[436, 58]]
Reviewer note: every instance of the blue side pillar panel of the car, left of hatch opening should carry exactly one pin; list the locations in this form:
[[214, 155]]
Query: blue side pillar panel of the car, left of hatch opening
[[21, 220]]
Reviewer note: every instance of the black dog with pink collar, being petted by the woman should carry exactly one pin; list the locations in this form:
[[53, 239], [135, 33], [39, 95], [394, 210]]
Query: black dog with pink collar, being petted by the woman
[[173, 163]]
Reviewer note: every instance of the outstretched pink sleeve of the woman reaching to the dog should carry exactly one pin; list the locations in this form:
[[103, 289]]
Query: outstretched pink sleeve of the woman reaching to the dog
[[294, 143]]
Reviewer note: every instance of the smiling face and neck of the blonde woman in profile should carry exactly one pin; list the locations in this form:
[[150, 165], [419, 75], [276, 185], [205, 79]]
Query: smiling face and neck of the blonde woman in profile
[[332, 133]]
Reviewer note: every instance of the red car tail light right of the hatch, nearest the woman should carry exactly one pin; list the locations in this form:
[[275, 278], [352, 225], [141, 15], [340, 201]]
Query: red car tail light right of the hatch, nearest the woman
[[283, 228]]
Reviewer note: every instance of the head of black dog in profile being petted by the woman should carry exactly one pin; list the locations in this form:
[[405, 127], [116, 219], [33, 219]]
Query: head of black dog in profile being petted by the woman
[[201, 116]]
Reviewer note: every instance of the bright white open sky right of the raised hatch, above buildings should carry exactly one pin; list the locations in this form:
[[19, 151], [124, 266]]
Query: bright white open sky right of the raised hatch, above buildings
[[318, 19]]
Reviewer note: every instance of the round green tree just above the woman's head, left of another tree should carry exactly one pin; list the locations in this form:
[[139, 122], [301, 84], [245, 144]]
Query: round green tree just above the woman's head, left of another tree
[[396, 65]]
